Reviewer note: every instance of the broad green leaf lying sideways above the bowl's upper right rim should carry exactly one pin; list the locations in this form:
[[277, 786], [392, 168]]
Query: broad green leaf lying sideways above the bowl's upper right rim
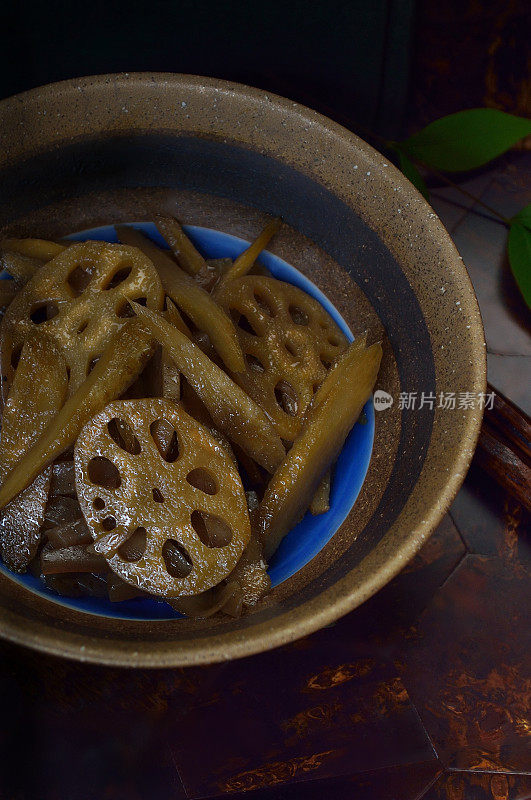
[[466, 140]]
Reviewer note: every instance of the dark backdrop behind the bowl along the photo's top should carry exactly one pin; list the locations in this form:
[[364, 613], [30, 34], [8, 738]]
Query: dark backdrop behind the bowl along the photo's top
[[390, 67]]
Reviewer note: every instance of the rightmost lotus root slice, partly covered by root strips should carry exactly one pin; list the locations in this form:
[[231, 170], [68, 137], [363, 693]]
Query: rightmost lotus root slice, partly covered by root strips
[[289, 342]]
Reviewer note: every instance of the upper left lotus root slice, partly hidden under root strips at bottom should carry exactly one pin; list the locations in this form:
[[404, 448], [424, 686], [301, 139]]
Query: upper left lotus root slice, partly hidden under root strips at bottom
[[79, 299]]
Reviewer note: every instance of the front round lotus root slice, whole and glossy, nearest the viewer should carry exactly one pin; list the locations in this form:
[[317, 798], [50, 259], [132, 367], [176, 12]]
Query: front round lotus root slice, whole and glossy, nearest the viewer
[[163, 501]]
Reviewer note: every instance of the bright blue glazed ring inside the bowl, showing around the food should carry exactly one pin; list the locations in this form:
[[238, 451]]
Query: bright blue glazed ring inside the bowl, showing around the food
[[307, 538]]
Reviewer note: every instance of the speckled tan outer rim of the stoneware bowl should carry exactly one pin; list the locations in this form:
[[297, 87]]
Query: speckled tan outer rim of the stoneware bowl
[[382, 563]]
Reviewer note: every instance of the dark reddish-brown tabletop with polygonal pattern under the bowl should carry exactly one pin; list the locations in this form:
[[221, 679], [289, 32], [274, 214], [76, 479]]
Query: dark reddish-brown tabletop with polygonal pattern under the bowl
[[423, 692]]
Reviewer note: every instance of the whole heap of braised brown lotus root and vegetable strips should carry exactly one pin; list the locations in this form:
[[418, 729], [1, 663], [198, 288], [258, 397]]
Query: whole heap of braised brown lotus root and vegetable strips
[[167, 419]]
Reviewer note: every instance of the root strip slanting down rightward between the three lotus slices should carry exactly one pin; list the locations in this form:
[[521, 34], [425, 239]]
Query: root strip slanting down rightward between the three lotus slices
[[233, 412]]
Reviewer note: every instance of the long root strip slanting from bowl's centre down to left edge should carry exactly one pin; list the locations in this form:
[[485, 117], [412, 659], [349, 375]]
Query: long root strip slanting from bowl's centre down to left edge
[[119, 365]]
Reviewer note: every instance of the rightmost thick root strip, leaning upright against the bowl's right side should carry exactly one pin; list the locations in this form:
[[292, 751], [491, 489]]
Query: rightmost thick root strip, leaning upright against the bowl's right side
[[327, 425]]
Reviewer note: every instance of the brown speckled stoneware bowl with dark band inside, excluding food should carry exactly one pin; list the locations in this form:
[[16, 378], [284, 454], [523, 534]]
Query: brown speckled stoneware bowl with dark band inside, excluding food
[[93, 151]]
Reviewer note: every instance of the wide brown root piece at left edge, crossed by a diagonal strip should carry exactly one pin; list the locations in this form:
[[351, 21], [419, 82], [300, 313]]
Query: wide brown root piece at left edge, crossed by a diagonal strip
[[31, 405]]
